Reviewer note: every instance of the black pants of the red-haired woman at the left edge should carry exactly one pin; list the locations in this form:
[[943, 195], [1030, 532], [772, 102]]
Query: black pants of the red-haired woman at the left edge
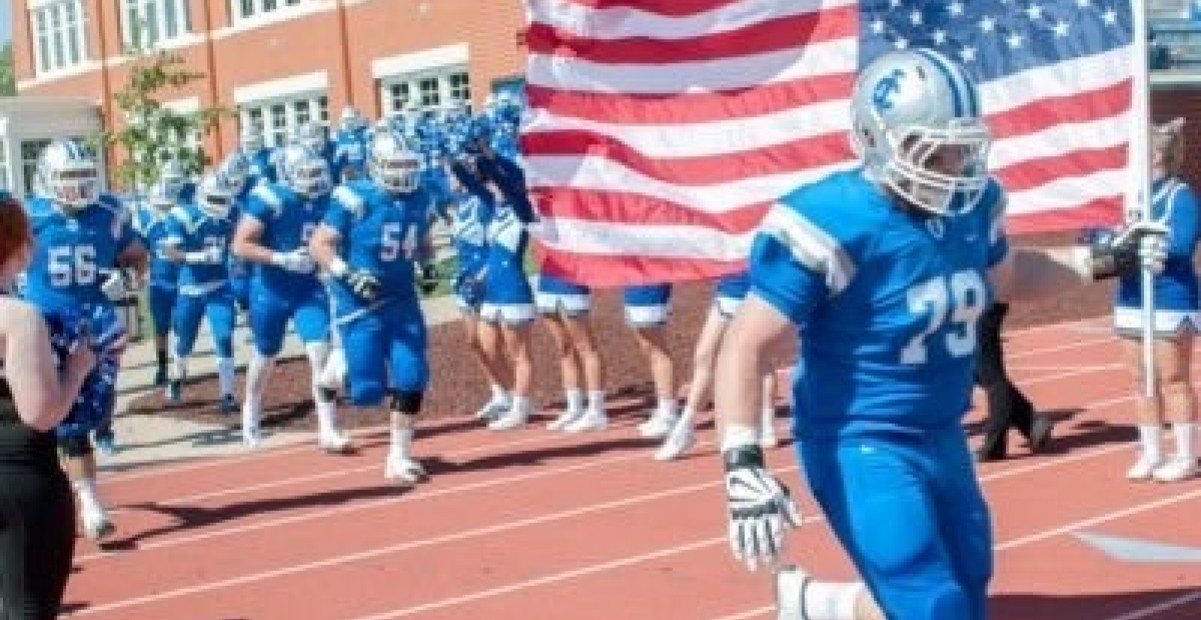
[[37, 541]]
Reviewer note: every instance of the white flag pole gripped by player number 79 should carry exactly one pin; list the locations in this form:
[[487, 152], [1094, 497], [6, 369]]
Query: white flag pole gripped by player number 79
[[1139, 202]]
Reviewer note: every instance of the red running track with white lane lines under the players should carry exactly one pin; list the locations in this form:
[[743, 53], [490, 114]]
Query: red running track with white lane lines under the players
[[539, 526]]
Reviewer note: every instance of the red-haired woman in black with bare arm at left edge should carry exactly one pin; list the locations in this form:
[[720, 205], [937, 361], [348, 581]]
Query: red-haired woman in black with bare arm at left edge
[[37, 391]]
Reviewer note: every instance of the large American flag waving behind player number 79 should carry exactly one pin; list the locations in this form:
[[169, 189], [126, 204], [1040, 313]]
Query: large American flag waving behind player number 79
[[660, 130]]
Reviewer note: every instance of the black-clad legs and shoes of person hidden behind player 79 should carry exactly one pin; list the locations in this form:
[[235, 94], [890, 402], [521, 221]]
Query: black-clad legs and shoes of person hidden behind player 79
[[1008, 408]]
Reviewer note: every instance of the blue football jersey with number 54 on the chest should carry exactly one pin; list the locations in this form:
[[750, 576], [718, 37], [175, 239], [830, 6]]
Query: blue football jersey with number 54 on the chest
[[381, 234]]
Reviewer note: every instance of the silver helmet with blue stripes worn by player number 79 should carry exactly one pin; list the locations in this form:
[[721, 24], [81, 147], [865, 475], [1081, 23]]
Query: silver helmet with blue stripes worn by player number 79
[[918, 126]]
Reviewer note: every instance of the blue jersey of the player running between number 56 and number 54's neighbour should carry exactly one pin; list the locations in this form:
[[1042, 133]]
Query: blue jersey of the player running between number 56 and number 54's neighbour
[[192, 230]]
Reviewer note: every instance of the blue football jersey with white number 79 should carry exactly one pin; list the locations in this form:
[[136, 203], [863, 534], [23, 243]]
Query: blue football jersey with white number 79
[[887, 302]]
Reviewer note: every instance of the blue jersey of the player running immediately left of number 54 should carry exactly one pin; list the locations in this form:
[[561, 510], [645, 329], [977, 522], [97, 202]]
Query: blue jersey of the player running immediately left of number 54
[[289, 220]]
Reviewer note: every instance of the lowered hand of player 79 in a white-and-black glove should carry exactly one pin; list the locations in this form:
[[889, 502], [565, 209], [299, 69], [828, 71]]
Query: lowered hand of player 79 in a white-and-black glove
[[761, 509]]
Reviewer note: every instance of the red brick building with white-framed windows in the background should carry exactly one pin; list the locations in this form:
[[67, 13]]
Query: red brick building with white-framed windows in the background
[[278, 63]]
